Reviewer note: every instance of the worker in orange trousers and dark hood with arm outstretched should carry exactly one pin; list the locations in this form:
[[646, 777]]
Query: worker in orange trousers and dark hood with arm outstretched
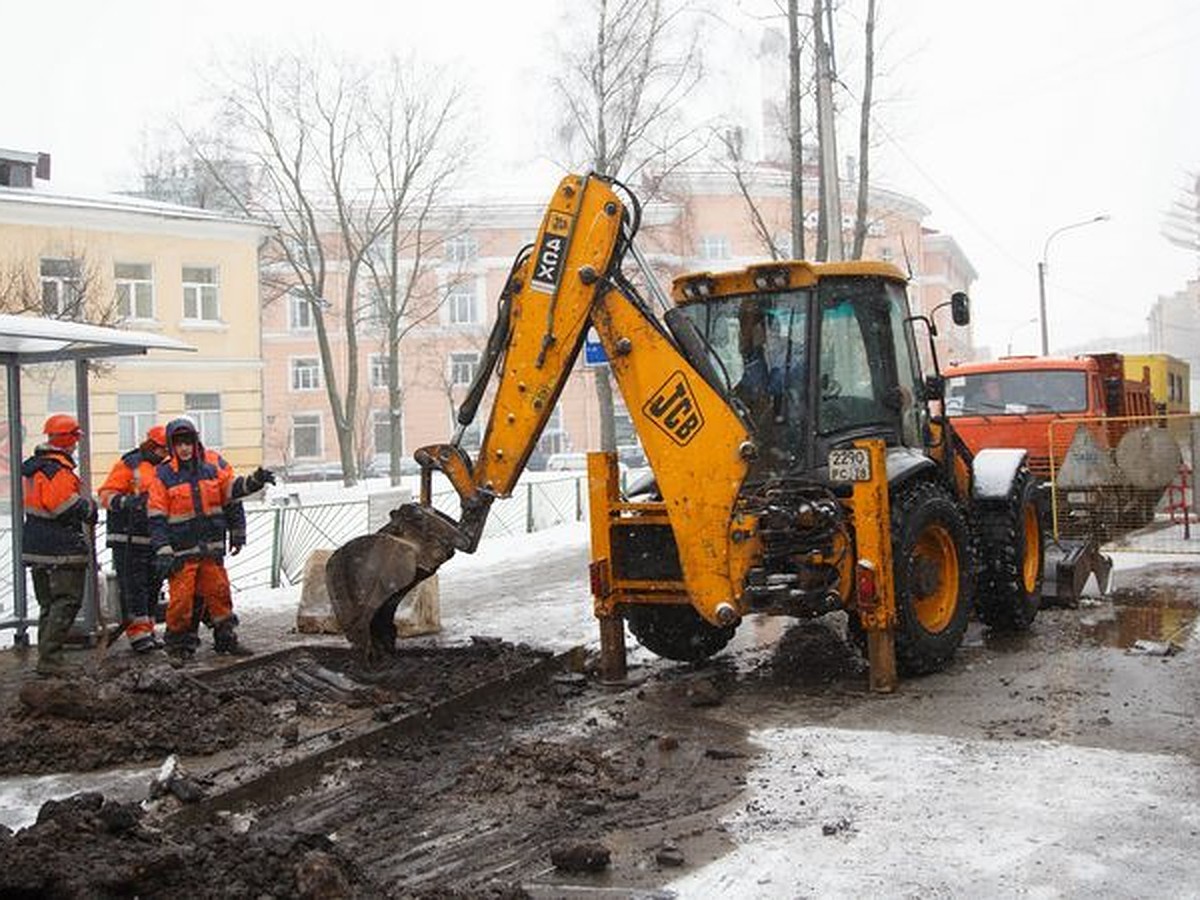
[[195, 507]]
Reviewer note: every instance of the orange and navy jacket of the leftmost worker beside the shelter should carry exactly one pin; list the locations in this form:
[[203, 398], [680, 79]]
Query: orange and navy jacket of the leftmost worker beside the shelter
[[55, 511]]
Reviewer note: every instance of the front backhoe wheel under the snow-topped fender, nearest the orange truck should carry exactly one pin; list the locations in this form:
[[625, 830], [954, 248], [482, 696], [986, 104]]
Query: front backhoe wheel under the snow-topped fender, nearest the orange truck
[[1011, 550]]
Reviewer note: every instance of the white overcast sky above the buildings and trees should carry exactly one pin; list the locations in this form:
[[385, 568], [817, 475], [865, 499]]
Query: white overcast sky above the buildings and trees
[[1009, 121]]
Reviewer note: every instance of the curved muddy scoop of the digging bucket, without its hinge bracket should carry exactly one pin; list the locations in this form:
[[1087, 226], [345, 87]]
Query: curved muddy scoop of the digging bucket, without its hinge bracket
[[368, 579]]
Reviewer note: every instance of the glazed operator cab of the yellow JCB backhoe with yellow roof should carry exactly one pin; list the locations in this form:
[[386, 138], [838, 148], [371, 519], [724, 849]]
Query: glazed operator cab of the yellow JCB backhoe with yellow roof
[[813, 357]]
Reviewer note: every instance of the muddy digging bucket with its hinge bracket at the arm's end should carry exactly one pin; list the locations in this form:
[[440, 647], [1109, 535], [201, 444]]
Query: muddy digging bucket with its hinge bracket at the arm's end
[[370, 577]]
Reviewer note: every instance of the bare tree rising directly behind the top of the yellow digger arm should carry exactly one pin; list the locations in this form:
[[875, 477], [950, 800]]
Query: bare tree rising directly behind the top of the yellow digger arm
[[622, 91]]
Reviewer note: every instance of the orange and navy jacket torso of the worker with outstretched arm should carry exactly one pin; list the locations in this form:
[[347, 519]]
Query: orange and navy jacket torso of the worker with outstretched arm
[[193, 506]]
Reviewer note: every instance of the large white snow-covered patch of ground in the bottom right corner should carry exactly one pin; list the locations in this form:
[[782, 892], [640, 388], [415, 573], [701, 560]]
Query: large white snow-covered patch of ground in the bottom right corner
[[838, 813]]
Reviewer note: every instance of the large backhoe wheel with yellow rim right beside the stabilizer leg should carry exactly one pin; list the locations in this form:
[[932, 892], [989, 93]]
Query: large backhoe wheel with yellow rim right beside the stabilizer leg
[[934, 575]]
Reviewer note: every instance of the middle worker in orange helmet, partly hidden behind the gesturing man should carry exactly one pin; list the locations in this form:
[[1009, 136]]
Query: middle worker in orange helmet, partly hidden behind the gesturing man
[[125, 496]]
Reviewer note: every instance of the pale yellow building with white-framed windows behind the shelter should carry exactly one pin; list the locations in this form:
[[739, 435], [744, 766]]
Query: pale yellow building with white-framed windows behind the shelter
[[189, 274]]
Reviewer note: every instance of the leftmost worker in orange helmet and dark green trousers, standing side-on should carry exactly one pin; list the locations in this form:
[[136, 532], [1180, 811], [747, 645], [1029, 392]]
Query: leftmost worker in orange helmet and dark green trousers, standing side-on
[[57, 543]]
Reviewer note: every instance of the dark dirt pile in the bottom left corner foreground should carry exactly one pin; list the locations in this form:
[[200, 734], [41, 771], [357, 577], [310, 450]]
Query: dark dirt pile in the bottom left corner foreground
[[87, 847]]
